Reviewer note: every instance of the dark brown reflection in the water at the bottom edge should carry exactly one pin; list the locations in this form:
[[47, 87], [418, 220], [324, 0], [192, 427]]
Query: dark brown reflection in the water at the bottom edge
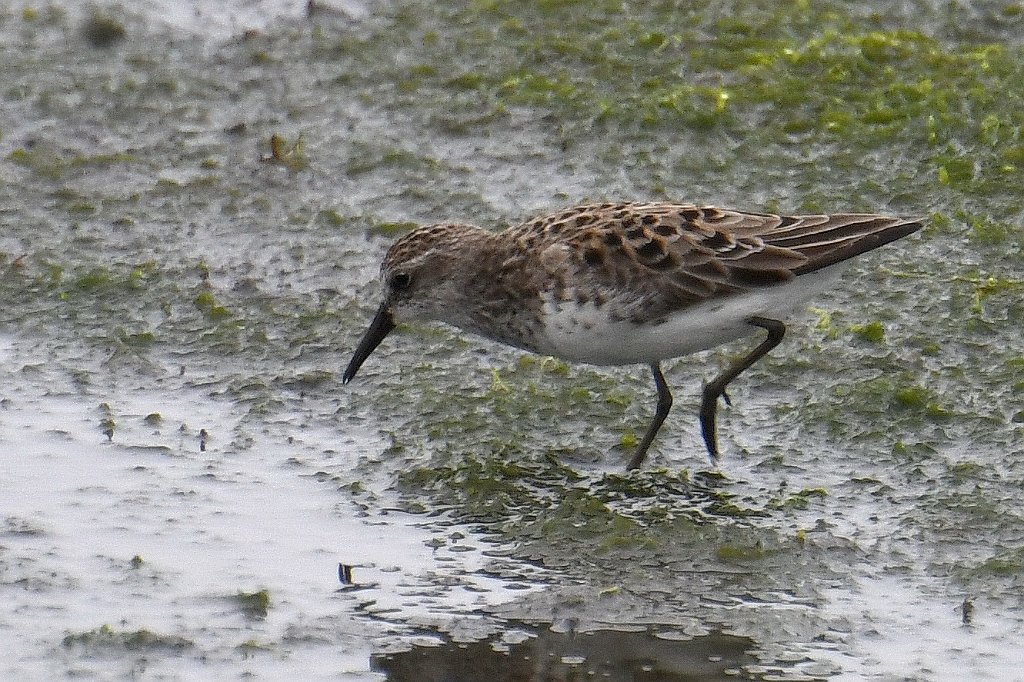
[[542, 655]]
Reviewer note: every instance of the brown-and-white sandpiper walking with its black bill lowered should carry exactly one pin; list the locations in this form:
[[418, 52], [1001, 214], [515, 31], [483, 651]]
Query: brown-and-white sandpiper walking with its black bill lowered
[[625, 284]]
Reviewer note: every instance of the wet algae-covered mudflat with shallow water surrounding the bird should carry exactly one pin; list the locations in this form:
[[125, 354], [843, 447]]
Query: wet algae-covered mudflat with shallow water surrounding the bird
[[193, 206]]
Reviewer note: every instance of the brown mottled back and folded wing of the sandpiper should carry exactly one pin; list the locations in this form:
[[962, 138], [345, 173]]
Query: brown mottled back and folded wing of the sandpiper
[[680, 254]]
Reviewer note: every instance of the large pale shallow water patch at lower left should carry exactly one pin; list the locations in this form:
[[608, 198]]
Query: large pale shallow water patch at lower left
[[148, 533]]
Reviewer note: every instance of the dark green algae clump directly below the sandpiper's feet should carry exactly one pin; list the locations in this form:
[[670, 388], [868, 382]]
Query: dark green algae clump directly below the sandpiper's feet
[[550, 502]]
